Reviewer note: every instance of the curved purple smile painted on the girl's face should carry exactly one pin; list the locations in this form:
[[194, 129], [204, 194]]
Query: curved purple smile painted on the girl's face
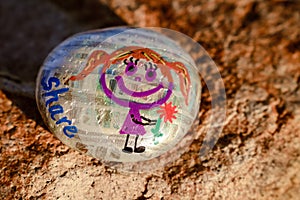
[[124, 89]]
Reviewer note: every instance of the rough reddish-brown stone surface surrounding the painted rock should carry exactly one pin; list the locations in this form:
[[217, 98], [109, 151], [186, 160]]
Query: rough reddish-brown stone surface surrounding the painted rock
[[256, 45]]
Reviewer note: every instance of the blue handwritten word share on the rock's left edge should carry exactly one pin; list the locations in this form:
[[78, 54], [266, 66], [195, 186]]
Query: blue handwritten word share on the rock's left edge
[[52, 96]]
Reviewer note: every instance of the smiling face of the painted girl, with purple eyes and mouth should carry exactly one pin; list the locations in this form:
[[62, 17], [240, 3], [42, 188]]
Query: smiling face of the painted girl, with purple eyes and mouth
[[139, 82]]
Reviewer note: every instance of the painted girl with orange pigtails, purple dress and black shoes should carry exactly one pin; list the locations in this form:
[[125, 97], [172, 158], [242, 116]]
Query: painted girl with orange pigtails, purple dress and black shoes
[[141, 66]]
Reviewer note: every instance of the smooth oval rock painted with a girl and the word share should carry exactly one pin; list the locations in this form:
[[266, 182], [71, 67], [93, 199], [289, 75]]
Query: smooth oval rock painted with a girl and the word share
[[119, 94]]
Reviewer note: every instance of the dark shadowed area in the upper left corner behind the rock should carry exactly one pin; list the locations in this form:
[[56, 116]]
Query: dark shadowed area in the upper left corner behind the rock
[[31, 28]]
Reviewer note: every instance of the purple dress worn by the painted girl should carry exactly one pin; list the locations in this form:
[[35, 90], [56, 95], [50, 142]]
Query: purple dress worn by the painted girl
[[130, 127]]
